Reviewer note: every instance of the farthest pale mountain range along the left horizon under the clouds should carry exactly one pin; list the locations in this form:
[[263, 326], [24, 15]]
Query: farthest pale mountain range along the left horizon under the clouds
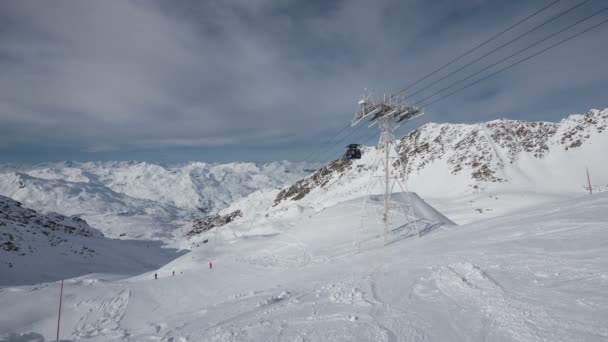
[[194, 185]]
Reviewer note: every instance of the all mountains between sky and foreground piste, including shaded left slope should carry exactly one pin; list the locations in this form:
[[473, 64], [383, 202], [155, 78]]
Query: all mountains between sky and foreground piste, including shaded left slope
[[98, 201]]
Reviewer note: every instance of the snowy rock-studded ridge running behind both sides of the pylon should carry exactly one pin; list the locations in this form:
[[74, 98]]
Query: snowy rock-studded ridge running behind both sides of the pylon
[[450, 160]]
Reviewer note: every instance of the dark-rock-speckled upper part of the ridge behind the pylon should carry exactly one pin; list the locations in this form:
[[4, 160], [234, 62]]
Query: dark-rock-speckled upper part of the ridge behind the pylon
[[479, 152]]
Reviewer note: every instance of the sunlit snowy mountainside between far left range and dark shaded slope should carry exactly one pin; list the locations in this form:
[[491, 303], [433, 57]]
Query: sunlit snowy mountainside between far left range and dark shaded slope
[[115, 214]]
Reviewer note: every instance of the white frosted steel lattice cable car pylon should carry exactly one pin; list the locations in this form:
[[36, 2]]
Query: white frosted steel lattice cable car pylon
[[388, 113]]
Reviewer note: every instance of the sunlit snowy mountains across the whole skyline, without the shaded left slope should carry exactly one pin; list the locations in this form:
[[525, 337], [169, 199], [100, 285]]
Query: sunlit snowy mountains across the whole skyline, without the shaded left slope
[[137, 200]]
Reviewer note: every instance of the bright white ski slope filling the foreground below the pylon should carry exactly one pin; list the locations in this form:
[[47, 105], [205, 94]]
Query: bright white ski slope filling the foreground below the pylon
[[536, 274]]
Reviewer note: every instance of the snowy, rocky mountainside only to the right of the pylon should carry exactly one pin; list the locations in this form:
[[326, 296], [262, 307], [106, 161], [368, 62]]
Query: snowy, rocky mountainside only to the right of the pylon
[[543, 156]]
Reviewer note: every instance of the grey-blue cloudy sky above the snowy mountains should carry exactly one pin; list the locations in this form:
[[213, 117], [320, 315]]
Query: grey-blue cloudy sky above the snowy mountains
[[259, 80]]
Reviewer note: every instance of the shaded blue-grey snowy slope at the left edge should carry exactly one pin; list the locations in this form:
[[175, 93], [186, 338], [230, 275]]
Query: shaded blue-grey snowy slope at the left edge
[[36, 247]]
